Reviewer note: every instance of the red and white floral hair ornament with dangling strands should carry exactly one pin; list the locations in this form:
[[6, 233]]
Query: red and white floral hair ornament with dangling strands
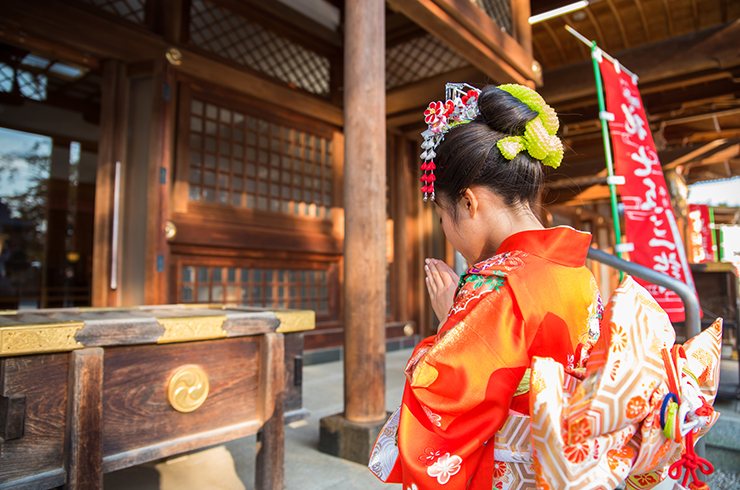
[[461, 107]]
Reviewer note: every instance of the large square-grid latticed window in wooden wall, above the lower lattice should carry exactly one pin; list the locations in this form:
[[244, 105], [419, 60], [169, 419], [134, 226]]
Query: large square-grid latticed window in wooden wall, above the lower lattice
[[236, 159]]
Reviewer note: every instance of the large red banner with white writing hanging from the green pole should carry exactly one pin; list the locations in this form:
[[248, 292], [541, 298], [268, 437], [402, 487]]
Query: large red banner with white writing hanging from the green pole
[[650, 225]]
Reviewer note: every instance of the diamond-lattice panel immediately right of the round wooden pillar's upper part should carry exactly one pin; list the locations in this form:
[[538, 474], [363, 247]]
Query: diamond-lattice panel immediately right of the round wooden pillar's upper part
[[417, 59]]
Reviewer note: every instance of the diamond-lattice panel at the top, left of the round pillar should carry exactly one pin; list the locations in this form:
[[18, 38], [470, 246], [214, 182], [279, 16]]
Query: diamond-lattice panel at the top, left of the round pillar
[[225, 33]]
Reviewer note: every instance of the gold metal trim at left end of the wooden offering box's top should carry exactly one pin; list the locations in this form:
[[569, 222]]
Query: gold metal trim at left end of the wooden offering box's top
[[37, 339]]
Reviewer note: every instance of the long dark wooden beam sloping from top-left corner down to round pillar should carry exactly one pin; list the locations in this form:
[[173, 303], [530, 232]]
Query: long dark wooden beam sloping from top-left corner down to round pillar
[[102, 39]]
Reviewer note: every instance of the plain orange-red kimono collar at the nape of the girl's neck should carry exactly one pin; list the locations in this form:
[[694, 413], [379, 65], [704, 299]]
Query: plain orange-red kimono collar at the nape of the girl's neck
[[562, 245]]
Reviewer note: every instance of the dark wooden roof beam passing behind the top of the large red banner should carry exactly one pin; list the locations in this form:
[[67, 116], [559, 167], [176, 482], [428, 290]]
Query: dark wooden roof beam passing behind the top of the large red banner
[[709, 49]]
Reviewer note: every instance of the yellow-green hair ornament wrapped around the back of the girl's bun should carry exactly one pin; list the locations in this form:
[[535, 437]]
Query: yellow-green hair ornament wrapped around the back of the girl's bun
[[540, 135]]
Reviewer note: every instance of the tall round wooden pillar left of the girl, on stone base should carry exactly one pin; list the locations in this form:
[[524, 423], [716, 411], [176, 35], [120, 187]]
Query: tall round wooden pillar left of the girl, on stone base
[[364, 207]]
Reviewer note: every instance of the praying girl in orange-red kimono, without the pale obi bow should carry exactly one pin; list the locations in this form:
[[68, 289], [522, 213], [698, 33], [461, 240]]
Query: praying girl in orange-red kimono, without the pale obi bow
[[527, 294]]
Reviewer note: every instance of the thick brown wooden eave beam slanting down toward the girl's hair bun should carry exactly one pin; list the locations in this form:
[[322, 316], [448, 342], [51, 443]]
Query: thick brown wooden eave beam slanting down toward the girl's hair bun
[[487, 53]]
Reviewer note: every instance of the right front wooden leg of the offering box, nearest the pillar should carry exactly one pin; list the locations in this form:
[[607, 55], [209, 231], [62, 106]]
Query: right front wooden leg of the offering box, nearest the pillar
[[270, 471]]
